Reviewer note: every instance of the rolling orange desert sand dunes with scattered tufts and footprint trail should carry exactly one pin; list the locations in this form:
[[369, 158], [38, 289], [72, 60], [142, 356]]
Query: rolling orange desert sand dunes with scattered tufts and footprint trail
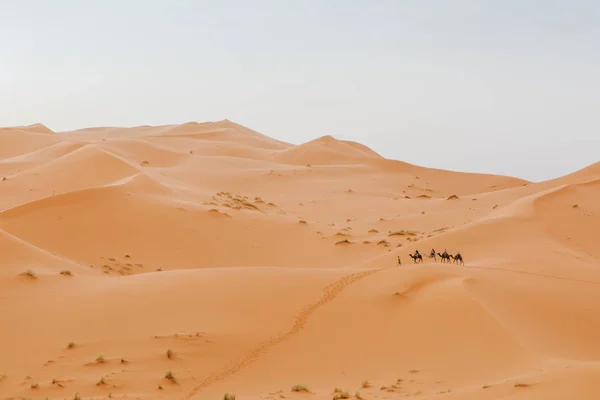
[[190, 261]]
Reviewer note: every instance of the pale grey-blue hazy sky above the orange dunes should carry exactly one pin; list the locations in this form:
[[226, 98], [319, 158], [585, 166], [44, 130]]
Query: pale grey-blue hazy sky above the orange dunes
[[507, 87]]
